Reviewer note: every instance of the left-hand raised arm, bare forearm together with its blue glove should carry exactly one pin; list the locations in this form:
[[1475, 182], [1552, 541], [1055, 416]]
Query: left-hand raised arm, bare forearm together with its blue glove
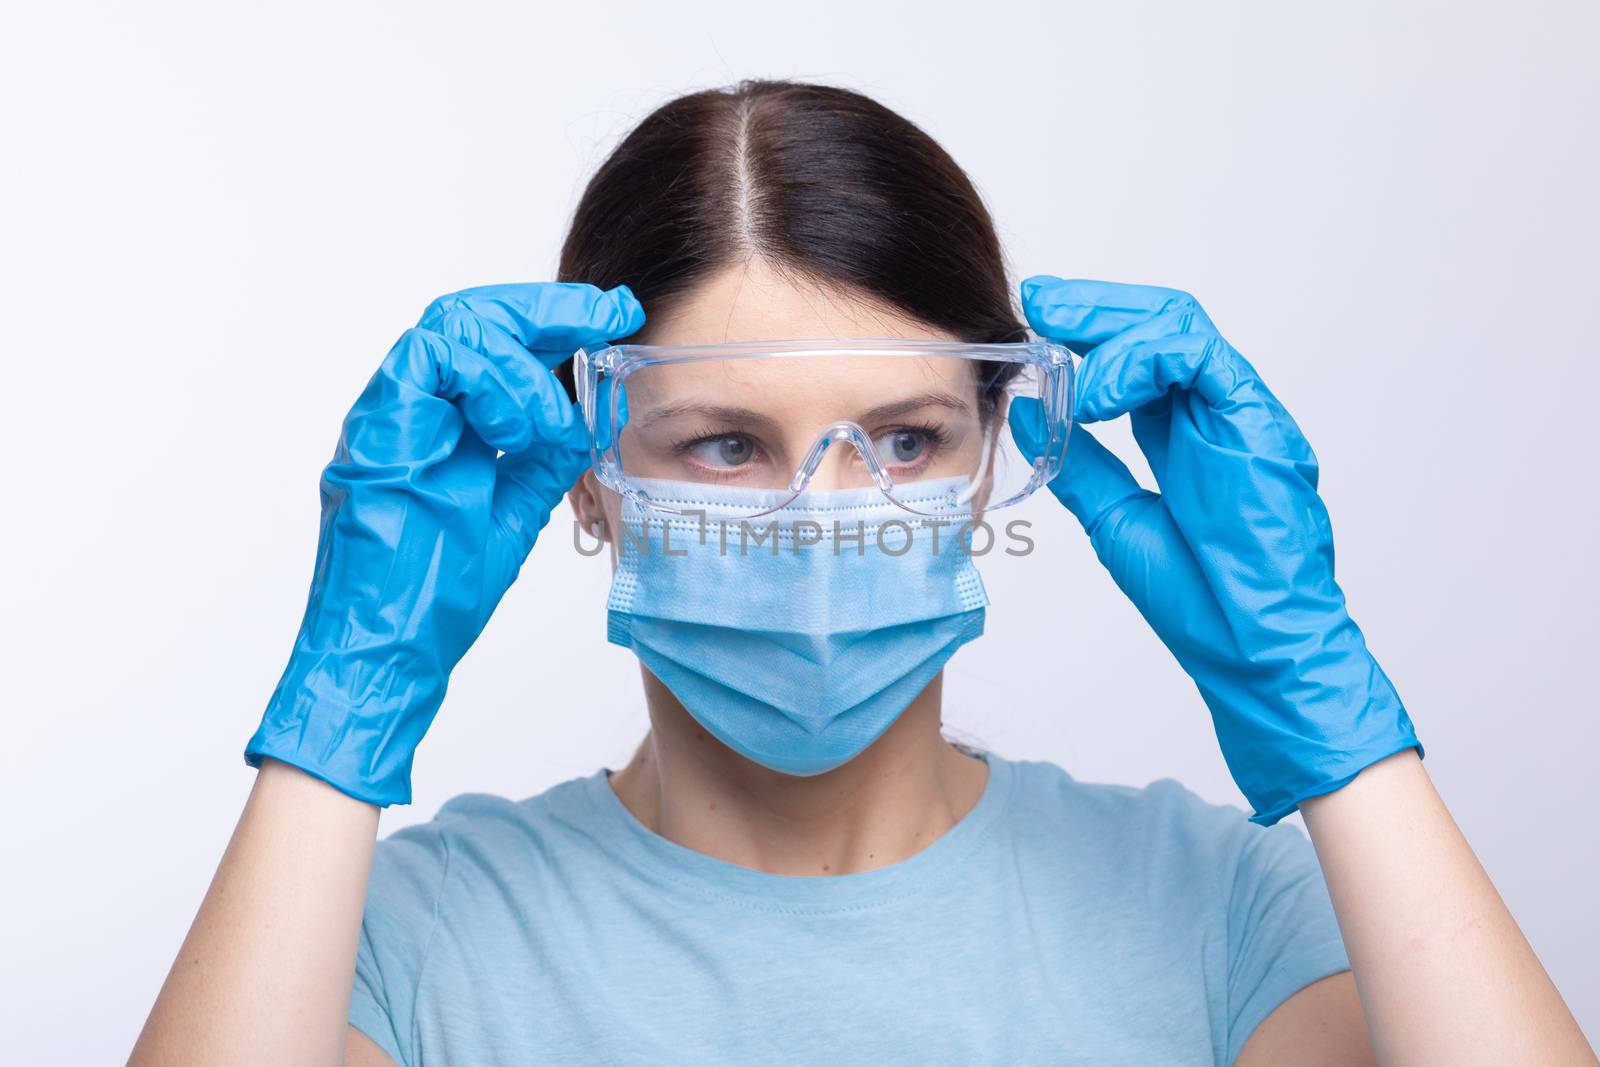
[[462, 442]]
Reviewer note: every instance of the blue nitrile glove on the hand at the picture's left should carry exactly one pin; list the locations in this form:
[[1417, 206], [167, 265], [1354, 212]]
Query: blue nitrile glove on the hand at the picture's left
[[425, 526]]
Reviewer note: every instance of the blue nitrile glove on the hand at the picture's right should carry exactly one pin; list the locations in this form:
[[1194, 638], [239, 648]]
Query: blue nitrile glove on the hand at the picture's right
[[1233, 562]]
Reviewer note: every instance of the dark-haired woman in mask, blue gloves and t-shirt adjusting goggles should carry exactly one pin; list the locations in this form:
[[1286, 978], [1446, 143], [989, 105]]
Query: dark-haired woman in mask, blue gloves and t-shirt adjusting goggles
[[740, 893]]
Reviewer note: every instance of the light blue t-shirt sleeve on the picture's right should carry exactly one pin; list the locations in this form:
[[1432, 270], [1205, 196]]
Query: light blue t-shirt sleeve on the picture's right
[[1281, 929]]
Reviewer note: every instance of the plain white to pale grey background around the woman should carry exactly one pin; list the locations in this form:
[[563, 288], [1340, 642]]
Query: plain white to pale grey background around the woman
[[218, 217]]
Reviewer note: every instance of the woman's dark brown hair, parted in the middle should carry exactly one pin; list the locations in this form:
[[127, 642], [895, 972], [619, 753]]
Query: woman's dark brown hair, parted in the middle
[[817, 180]]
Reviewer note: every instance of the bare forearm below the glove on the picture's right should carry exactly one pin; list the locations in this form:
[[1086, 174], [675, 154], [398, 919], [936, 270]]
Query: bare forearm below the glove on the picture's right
[[1444, 972]]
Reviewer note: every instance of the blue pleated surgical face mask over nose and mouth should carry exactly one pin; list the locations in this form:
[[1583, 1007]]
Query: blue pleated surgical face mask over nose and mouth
[[798, 637]]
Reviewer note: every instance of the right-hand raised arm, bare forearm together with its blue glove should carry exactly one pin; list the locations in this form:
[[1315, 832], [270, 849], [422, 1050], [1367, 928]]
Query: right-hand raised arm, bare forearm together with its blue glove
[[1246, 597]]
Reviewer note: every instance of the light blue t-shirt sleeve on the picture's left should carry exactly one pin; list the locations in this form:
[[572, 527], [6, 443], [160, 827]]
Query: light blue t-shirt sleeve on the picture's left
[[398, 924]]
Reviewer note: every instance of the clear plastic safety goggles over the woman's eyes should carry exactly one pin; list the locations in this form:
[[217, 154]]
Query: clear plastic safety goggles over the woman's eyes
[[769, 415]]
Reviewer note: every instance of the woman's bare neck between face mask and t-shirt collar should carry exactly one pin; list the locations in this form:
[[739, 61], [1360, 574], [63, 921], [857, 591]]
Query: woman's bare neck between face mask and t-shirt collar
[[884, 807]]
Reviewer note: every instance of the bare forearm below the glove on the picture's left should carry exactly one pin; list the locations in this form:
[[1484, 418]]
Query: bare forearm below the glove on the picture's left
[[265, 973]]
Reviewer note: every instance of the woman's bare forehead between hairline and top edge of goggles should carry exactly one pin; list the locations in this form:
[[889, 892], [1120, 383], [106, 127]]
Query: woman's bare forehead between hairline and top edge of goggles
[[756, 302]]
